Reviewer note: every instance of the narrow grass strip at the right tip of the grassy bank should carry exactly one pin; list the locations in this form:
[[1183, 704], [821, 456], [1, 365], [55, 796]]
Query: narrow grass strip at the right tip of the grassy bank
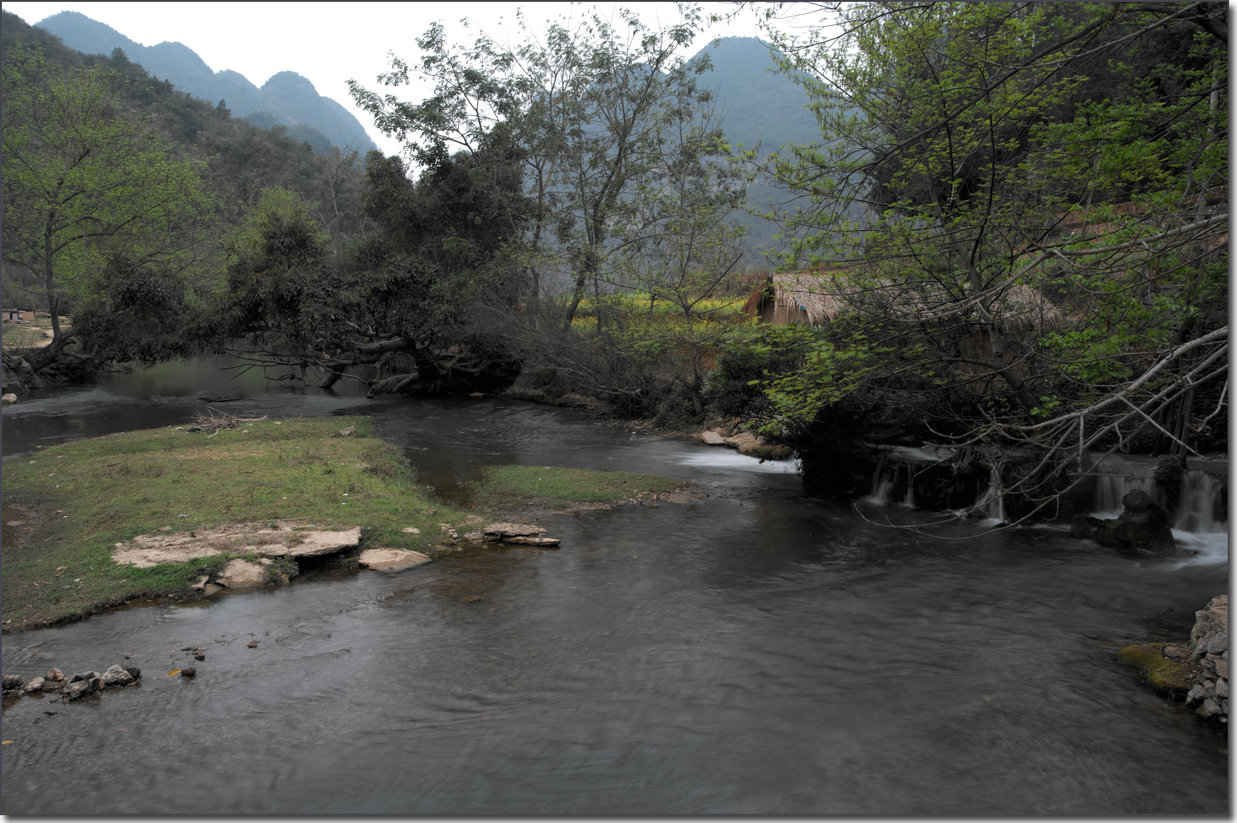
[[555, 487]]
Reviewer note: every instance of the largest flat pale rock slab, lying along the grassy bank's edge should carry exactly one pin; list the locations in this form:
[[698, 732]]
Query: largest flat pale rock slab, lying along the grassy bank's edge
[[284, 540]]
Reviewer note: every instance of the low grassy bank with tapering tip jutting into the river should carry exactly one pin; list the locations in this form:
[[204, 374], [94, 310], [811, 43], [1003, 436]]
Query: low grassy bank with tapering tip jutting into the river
[[67, 507]]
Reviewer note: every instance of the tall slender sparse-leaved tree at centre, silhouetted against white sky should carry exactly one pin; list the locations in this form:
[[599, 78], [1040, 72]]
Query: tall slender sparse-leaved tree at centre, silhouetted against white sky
[[594, 110]]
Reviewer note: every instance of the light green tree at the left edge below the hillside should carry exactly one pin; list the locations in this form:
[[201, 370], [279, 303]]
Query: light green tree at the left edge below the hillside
[[85, 180]]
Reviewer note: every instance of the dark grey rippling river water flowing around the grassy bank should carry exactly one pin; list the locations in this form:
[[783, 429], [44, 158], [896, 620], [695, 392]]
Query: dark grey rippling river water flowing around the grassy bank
[[754, 652]]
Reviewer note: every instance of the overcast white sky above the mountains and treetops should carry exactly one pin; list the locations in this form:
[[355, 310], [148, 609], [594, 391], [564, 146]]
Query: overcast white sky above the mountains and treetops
[[332, 43]]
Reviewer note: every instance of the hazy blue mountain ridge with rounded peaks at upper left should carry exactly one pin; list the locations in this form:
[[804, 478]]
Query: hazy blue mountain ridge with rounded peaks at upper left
[[286, 100]]
